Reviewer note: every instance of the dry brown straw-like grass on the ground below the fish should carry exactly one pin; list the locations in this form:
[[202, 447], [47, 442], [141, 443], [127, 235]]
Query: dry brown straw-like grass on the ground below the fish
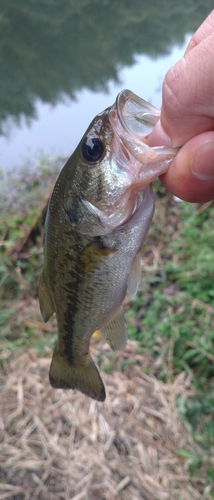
[[58, 444]]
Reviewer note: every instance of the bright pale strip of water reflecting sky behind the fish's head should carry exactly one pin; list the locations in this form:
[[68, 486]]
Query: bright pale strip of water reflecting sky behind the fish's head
[[57, 129]]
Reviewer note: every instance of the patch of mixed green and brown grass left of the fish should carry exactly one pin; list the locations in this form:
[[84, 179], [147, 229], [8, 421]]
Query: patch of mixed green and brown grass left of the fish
[[21, 206]]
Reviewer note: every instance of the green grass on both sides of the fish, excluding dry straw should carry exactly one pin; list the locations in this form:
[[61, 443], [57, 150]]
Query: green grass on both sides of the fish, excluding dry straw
[[172, 316]]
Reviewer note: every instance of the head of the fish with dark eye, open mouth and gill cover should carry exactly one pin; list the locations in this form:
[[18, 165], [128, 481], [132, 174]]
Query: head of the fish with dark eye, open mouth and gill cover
[[113, 164]]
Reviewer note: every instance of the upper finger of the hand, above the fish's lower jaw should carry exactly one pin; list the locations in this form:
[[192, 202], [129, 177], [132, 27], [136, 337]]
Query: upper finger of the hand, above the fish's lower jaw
[[188, 97]]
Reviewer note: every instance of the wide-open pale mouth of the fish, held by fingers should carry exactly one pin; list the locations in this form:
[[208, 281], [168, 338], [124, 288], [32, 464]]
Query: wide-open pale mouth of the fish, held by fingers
[[132, 119]]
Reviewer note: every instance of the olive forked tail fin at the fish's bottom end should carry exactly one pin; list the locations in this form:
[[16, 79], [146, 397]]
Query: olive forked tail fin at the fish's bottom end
[[84, 377]]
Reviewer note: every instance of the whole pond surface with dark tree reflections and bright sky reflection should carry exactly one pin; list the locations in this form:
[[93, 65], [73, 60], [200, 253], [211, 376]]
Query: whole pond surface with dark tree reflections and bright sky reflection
[[63, 64]]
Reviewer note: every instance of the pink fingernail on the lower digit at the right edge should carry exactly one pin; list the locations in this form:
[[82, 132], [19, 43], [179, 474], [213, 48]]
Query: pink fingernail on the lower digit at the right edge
[[202, 165]]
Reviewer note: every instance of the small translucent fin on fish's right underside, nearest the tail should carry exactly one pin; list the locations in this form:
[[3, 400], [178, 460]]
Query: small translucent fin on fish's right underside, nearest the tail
[[115, 331]]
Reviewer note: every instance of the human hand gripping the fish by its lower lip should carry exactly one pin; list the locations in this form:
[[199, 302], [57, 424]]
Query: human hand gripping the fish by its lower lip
[[187, 119]]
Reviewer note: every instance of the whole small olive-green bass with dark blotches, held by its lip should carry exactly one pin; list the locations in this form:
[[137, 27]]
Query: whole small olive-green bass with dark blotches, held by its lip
[[97, 220]]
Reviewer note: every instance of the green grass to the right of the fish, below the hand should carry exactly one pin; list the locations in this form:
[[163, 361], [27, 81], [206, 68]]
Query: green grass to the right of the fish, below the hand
[[175, 310]]
